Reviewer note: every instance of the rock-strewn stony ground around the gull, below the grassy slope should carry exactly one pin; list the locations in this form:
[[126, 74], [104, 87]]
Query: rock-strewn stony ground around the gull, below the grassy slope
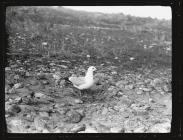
[[38, 99]]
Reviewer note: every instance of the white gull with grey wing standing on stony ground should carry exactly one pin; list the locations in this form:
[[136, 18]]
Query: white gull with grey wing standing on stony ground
[[84, 82]]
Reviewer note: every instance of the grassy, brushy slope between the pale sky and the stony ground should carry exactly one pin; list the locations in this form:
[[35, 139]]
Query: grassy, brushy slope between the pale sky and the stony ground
[[74, 34]]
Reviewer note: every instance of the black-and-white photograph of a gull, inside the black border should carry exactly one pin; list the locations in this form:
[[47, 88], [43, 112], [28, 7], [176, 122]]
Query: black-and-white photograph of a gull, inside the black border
[[88, 69]]
